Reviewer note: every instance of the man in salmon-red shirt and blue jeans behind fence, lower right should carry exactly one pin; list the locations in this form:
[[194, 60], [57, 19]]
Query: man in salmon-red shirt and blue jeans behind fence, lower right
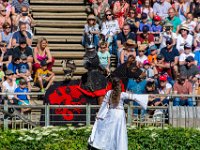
[[183, 86]]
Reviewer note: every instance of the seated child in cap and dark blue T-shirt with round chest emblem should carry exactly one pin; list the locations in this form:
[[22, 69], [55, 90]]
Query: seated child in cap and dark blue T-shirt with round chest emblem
[[22, 70]]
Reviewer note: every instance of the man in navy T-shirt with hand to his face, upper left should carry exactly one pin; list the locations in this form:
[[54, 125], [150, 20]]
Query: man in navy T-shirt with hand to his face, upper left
[[21, 34]]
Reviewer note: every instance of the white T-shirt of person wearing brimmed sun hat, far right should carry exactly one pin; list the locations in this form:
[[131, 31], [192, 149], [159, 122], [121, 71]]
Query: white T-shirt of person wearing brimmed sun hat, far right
[[181, 41]]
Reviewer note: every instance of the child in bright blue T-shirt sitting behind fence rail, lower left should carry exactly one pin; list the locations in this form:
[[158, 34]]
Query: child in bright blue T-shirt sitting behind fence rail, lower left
[[23, 99]]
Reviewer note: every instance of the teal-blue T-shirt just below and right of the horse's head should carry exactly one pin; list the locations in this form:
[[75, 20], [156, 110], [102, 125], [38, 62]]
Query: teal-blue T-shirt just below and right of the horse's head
[[136, 87]]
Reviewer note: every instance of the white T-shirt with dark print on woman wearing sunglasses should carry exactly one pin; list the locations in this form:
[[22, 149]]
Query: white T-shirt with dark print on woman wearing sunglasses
[[110, 27]]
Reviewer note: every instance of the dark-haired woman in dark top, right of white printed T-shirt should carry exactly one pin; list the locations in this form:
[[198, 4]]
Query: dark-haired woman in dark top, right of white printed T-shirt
[[133, 20]]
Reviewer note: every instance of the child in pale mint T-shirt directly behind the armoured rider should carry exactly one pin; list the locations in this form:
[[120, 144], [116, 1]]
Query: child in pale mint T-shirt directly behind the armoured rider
[[104, 57]]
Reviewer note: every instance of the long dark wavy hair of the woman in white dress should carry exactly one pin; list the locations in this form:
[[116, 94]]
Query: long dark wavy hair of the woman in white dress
[[116, 87]]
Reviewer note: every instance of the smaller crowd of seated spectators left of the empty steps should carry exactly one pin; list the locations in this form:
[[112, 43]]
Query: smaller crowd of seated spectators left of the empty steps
[[20, 63]]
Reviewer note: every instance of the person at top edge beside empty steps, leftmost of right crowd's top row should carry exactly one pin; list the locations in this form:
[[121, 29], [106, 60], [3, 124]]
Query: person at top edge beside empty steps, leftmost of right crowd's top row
[[100, 7]]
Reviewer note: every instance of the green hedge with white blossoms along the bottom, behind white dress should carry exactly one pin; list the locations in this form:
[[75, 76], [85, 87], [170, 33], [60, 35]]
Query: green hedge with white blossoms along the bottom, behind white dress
[[70, 138]]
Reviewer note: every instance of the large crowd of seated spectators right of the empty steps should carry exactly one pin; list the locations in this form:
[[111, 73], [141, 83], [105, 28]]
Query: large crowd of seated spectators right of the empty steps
[[162, 38]]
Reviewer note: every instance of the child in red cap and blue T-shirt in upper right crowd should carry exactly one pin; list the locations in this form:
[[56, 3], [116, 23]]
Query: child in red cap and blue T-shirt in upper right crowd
[[157, 28]]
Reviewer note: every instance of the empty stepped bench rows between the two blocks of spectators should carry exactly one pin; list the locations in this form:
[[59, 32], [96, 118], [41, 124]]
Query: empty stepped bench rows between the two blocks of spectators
[[62, 23]]
